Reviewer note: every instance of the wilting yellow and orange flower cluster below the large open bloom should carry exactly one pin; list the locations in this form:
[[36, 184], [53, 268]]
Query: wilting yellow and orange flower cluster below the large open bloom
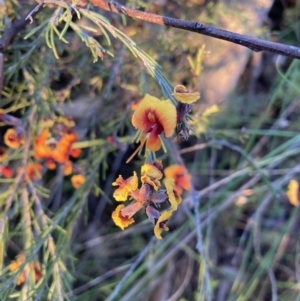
[[150, 196]]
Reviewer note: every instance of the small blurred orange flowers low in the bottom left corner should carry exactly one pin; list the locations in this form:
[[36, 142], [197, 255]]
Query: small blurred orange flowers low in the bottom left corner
[[33, 266]]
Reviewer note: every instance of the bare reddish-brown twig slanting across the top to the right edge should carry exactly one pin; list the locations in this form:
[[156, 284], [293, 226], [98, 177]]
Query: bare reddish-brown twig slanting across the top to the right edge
[[250, 42]]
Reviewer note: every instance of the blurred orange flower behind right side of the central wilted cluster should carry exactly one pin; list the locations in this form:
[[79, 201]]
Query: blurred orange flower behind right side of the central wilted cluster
[[180, 175]]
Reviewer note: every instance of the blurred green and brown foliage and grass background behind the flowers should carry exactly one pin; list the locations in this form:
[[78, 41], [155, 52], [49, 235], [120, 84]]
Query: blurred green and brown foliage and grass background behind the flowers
[[235, 236]]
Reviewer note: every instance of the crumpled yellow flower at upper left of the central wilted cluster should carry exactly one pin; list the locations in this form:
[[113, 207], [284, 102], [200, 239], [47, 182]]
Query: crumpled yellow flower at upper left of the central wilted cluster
[[125, 187]]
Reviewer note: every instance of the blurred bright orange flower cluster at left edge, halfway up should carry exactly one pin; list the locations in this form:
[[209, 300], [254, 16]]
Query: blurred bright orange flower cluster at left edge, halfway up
[[52, 146]]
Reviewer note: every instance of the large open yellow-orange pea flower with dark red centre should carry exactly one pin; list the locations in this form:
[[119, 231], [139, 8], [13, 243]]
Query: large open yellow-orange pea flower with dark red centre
[[154, 117]]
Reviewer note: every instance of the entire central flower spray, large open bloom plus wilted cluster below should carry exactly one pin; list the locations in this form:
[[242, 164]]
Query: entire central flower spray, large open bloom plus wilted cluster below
[[154, 118]]
